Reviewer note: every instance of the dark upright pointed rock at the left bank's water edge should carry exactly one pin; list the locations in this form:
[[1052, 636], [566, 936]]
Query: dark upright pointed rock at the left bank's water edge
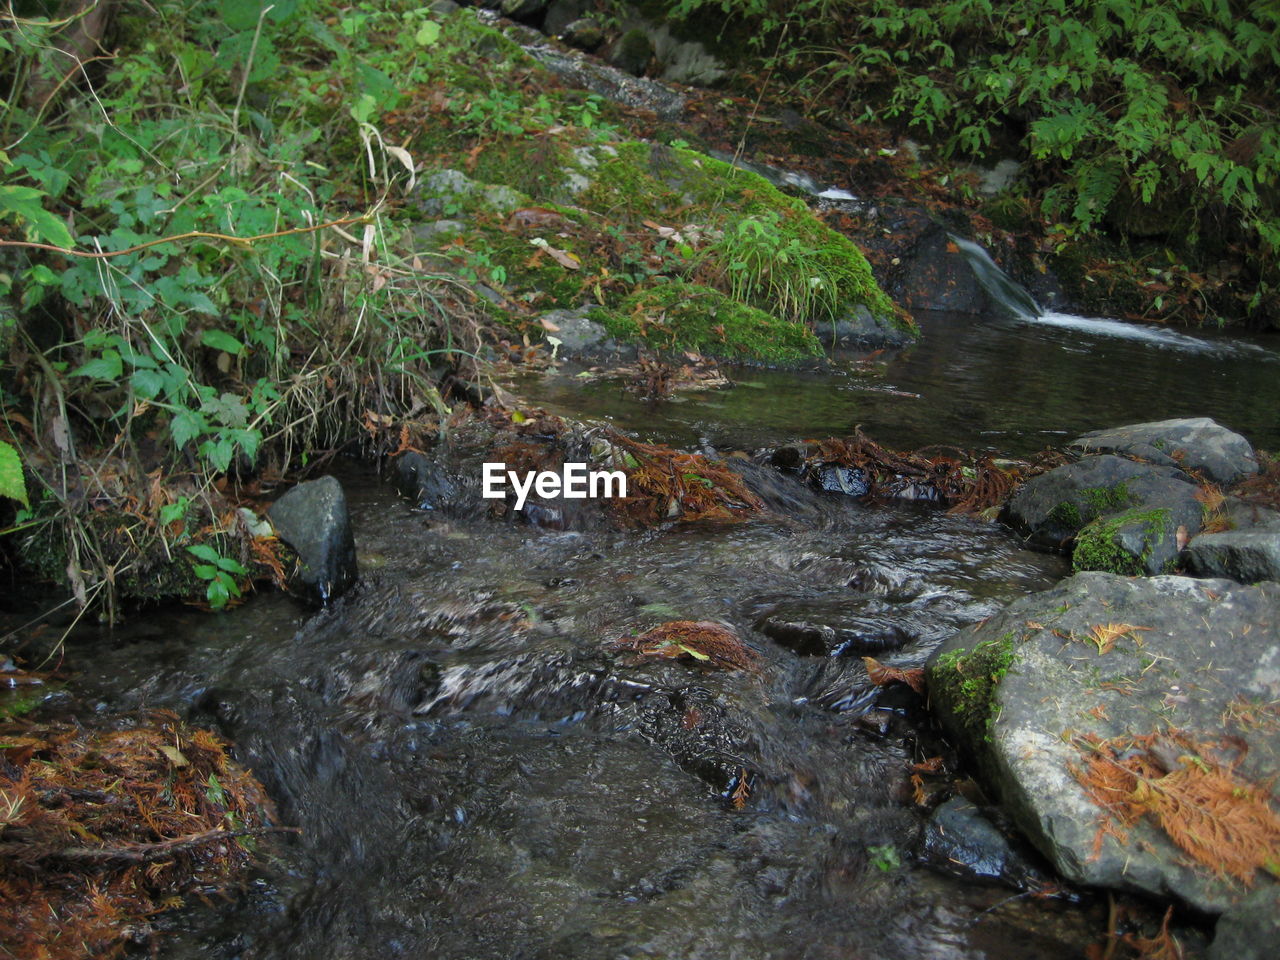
[[313, 520]]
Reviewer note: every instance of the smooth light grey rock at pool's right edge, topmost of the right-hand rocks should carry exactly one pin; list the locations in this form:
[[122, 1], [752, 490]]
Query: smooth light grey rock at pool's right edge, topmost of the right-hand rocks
[[1196, 444]]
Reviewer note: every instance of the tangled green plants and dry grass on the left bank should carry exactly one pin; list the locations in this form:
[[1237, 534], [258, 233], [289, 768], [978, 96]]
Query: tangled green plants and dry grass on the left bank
[[199, 355]]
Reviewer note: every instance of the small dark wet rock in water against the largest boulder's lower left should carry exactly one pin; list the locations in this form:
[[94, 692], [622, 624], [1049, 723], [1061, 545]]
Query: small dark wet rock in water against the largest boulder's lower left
[[961, 839]]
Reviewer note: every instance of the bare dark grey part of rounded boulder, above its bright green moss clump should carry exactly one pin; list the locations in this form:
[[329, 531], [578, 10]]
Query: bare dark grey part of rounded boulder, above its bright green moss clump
[[1054, 508]]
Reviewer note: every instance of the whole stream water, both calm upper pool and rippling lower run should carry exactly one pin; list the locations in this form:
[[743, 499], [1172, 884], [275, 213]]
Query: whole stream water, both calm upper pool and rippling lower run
[[478, 775]]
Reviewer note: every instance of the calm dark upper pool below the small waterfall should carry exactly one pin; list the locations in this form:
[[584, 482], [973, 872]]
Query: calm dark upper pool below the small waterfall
[[998, 383]]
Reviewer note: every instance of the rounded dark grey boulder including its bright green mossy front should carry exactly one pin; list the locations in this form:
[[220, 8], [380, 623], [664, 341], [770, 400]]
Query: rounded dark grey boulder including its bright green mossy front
[[1122, 516]]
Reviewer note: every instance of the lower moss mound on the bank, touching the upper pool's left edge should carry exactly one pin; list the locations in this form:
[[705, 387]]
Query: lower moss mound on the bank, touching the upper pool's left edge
[[689, 317]]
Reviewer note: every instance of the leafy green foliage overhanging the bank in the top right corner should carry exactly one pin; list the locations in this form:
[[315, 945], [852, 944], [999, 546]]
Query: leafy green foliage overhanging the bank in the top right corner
[[1121, 106]]
